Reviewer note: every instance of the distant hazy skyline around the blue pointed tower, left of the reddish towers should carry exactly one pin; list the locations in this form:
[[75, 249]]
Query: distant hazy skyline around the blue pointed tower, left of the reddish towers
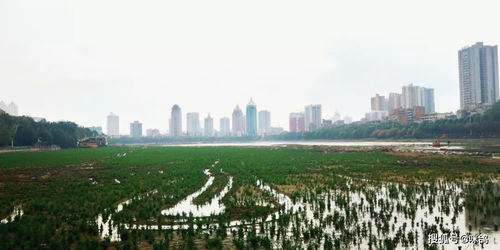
[[248, 123]]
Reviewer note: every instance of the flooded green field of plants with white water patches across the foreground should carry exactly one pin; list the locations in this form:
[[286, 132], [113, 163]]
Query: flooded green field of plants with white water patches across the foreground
[[264, 198]]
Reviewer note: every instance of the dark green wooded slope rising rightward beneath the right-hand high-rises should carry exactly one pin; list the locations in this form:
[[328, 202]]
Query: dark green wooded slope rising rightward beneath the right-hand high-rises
[[473, 126]]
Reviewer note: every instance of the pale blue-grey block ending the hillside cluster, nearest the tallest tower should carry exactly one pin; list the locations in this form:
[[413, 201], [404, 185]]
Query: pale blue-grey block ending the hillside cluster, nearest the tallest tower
[[415, 96]]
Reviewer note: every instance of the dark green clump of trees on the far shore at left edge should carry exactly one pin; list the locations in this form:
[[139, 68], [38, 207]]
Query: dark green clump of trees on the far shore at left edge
[[24, 131]]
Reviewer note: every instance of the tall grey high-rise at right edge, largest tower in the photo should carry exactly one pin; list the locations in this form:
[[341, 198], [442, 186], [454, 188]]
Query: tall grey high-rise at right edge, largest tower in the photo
[[478, 75]]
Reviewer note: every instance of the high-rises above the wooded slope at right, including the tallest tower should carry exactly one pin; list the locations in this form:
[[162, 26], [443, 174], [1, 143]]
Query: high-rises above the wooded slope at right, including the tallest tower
[[478, 77]]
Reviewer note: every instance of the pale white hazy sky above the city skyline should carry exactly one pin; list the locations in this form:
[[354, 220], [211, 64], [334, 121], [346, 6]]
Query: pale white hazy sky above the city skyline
[[81, 60]]
